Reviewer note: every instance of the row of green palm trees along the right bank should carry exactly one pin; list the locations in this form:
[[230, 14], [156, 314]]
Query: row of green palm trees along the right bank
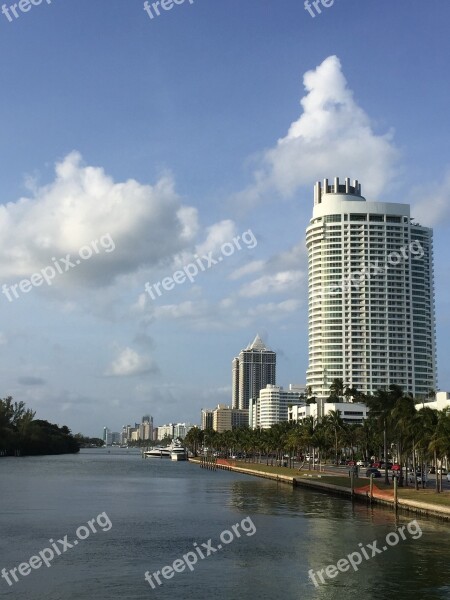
[[393, 429]]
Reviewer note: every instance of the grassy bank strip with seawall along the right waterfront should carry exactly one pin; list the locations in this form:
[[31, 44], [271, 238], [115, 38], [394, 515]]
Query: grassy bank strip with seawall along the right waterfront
[[425, 502]]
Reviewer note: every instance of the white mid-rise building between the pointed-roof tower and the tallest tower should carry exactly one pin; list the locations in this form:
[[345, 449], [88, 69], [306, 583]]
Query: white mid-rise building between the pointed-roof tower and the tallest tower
[[271, 407]]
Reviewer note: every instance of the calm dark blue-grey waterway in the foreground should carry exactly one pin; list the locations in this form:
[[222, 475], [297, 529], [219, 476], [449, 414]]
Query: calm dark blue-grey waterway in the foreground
[[159, 509]]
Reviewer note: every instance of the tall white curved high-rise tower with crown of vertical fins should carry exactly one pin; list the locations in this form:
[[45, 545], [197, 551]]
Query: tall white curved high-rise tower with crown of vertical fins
[[371, 294]]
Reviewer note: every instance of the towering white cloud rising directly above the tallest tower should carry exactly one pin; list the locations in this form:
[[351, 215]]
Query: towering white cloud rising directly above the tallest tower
[[333, 136]]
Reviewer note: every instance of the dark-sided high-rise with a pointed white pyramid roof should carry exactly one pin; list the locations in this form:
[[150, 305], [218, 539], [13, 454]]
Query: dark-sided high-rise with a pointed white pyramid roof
[[254, 369]]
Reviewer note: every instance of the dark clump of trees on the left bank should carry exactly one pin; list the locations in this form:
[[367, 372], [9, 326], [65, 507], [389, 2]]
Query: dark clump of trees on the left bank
[[23, 435]]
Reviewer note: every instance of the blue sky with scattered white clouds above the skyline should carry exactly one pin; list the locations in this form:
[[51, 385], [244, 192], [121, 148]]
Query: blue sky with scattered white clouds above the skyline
[[136, 151]]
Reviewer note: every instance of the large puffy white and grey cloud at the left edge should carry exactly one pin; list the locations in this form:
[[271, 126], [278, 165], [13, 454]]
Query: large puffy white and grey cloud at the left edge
[[148, 224]]
